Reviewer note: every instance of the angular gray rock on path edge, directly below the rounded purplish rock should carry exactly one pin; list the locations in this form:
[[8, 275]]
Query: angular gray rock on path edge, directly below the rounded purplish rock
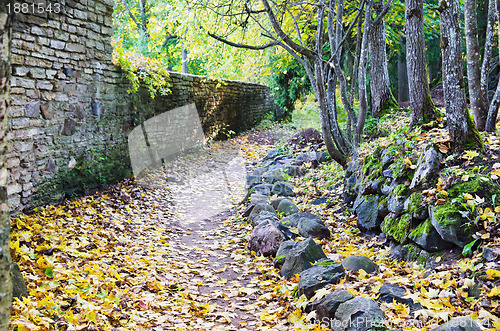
[[301, 257]]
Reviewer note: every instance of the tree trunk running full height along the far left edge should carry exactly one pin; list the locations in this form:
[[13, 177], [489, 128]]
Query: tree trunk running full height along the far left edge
[[5, 274]]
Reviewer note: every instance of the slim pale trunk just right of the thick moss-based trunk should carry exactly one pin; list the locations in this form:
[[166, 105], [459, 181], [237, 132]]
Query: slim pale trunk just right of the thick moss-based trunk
[[477, 100]]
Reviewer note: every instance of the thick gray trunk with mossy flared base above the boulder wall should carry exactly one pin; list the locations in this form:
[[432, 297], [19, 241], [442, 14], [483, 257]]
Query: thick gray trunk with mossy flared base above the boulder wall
[[461, 127]]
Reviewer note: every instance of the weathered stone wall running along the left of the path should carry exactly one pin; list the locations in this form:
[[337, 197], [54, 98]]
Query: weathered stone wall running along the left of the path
[[70, 113]]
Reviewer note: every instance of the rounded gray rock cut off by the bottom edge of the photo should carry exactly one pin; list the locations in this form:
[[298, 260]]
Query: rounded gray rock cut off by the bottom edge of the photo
[[358, 314]]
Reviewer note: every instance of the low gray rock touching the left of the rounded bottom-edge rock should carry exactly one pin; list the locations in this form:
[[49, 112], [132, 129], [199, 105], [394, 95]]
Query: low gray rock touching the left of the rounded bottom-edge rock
[[326, 307]]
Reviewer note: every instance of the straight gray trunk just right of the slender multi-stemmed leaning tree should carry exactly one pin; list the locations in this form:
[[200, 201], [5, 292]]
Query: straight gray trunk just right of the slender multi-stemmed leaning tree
[[380, 87]]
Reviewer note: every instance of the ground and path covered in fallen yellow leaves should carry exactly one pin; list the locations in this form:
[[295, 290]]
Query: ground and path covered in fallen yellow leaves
[[169, 253]]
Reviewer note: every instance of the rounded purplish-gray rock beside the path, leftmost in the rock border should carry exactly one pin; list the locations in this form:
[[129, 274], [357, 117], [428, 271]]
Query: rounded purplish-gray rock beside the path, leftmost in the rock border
[[265, 239]]
